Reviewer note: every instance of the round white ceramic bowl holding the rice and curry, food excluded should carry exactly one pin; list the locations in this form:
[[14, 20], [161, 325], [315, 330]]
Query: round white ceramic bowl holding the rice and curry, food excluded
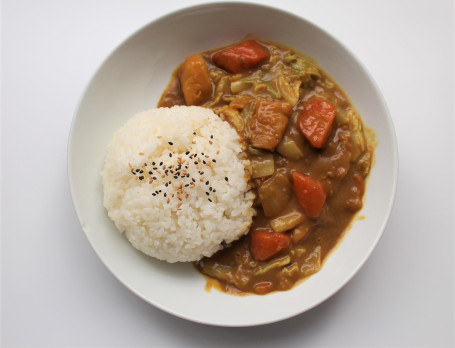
[[132, 79]]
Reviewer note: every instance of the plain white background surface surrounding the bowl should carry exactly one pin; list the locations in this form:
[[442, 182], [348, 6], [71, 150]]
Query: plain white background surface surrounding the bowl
[[56, 292]]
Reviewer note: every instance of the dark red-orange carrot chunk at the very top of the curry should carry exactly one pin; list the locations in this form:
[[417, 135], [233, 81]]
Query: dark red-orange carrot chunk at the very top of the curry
[[242, 57]]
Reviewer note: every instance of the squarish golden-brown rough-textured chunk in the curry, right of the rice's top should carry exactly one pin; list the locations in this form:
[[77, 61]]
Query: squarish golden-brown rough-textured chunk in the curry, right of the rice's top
[[268, 123]]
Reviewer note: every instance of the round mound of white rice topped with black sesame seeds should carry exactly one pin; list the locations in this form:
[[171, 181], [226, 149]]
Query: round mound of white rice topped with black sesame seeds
[[175, 182]]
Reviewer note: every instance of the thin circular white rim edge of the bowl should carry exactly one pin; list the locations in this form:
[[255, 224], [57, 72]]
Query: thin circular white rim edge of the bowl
[[237, 4]]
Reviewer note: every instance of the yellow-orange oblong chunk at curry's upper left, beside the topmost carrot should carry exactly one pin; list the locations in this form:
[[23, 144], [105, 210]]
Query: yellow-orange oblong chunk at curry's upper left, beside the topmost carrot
[[195, 80]]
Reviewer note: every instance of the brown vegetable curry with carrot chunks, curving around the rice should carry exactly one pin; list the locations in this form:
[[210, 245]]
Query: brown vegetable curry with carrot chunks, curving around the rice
[[308, 151]]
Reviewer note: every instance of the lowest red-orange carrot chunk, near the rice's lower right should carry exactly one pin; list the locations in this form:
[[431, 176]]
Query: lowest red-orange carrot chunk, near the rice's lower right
[[264, 243]]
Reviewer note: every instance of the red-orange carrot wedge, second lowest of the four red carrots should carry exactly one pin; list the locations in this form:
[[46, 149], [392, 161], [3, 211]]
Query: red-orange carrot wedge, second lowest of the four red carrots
[[310, 194]]
